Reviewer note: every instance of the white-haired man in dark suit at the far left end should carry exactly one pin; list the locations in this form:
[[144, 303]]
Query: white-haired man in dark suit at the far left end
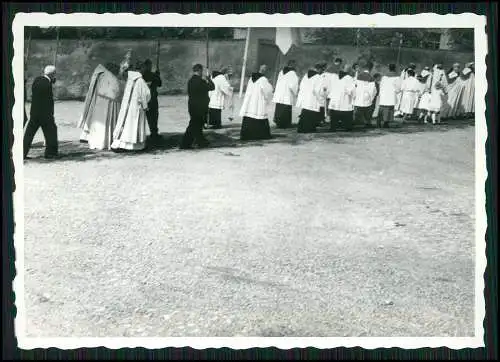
[[42, 113]]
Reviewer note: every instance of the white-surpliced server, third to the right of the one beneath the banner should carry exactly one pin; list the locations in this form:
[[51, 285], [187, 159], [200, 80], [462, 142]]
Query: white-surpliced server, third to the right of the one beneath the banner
[[366, 92]]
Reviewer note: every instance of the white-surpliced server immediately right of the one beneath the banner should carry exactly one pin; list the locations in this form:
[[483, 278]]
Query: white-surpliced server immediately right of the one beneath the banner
[[311, 93]]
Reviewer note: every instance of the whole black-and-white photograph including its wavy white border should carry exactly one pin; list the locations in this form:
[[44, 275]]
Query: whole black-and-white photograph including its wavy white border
[[316, 183]]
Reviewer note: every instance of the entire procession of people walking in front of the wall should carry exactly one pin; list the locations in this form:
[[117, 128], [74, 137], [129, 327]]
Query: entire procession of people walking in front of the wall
[[123, 99]]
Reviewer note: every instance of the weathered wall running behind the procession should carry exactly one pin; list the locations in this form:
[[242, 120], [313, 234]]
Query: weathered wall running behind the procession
[[77, 60]]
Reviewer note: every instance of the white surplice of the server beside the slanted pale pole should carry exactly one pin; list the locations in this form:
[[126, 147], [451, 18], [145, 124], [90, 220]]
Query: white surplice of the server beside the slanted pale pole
[[257, 98]]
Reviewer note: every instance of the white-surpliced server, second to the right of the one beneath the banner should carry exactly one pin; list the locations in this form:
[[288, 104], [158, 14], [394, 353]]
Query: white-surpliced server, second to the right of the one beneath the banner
[[341, 100]]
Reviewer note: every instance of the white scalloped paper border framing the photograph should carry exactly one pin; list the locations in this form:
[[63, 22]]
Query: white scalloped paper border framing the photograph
[[424, 20]]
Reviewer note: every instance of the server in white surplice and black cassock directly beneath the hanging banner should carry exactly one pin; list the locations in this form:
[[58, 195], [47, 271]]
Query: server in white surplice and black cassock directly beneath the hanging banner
[[285, 95]]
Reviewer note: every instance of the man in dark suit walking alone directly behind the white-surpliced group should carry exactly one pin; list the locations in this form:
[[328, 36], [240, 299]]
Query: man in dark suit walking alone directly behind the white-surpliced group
[[198, 88]]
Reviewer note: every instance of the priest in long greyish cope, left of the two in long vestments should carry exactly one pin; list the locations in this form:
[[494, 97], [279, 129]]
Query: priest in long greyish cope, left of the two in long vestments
[[101, 107]]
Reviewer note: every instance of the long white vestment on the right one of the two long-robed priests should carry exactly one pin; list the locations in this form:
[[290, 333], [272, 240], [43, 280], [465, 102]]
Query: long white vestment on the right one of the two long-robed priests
[[130, 131]]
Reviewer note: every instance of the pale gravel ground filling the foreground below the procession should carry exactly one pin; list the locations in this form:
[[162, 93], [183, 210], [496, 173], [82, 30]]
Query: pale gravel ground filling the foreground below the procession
[[361, 234]]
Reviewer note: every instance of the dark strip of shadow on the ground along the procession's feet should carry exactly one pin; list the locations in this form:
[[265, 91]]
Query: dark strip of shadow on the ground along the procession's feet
[[228, 137]]
